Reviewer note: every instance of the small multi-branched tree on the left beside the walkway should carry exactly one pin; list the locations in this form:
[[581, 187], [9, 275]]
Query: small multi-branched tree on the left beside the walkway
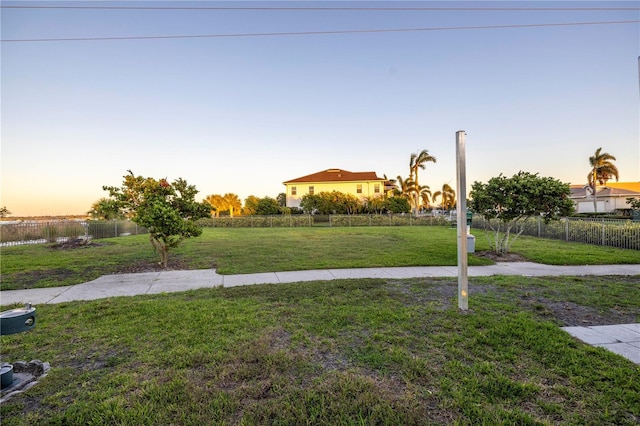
[[168, 211]]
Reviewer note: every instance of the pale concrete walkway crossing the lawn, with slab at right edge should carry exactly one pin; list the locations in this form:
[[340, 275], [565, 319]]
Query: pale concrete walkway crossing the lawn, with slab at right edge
[[622, 339]]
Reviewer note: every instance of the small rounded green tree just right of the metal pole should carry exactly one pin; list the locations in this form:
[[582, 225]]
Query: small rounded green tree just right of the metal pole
[[503, 202]]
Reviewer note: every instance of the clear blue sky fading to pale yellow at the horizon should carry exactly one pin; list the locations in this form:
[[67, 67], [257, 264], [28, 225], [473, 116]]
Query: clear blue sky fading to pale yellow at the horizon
[[272, 94]]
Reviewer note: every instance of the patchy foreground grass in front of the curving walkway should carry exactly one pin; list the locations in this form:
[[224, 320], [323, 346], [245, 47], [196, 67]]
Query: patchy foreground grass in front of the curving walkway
[[366, 351]]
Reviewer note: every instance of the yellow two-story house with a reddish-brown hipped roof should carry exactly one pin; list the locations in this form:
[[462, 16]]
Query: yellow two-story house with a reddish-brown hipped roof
[[361, 184]]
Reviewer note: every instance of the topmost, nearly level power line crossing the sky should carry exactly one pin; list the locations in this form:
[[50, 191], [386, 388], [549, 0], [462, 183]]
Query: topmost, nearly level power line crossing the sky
[[309, 8]]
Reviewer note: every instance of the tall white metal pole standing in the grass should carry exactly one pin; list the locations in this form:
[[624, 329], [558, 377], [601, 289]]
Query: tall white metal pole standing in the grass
[[461, 210]]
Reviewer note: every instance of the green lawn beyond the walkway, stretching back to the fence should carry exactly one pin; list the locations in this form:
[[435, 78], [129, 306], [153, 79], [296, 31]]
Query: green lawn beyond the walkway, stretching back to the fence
[[252, 250]]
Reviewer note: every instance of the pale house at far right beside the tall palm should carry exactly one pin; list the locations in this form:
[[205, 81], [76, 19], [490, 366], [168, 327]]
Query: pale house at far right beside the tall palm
[[609, 197]]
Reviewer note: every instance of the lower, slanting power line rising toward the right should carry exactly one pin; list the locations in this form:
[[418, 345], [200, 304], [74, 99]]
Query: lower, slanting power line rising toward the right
[[298, 33]]
